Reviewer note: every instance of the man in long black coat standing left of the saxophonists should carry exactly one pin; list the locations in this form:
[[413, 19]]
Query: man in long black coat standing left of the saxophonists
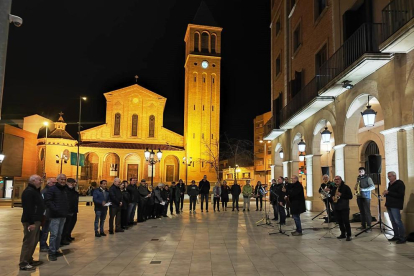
[[296, 197]]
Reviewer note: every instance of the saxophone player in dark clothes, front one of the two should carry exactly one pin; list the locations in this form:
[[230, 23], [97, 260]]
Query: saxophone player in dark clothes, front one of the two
[[341, 194]]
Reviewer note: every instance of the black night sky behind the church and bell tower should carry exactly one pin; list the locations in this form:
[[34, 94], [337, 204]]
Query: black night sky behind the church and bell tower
[[69, 48]]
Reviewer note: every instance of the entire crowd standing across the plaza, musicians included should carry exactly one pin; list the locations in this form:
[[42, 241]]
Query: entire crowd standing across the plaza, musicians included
[[51, 213]]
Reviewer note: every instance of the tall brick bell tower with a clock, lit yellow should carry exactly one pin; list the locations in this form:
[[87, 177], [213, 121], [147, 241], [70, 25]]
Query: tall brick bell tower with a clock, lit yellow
[[202, 93]]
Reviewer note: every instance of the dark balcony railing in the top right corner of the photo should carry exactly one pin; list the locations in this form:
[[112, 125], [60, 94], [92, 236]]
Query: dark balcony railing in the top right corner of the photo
[[395, 15]]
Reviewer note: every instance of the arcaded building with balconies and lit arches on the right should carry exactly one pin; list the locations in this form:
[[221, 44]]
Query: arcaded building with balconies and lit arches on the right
[[330, 60]]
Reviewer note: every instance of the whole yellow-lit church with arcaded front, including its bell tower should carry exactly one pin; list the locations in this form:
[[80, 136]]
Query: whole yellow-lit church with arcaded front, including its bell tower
[[134, 123]]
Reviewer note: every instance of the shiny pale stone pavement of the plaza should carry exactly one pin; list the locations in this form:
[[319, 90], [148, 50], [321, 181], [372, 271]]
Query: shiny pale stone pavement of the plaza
[[225, 243]]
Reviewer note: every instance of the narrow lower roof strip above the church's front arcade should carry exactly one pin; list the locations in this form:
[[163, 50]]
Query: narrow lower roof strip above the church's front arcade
[[137, 146]]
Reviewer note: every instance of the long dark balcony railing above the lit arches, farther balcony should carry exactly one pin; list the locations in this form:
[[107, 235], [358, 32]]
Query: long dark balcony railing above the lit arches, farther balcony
[[366, 39]]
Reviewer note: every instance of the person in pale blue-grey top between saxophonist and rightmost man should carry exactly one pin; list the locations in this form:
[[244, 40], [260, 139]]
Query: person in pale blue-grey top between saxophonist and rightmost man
[[365, 185]]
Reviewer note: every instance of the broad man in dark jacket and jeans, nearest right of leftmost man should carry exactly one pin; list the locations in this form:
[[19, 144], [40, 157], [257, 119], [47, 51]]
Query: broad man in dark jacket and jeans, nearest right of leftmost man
[[56, 200]]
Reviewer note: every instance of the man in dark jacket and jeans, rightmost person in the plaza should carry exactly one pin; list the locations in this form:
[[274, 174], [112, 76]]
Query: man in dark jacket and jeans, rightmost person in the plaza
[[395, 202]]
